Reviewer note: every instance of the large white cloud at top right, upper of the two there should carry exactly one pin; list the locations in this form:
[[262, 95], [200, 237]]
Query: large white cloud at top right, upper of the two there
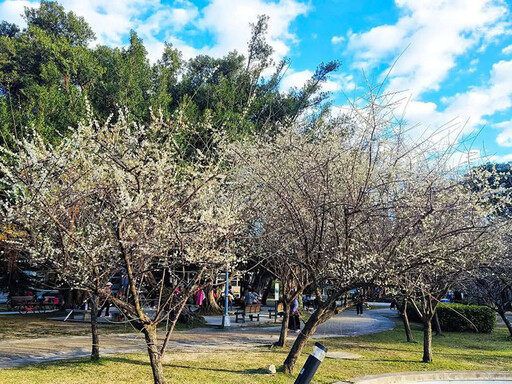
[[435, 34]]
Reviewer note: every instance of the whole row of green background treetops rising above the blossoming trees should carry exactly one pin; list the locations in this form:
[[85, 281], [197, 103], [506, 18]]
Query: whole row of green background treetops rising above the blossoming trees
[[48, 70]]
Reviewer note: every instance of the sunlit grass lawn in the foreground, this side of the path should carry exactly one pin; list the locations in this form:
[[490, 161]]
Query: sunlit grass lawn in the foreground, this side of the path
[[383, 352]]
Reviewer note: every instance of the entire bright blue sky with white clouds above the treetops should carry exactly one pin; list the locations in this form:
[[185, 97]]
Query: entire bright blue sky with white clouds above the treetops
[[456, 62]]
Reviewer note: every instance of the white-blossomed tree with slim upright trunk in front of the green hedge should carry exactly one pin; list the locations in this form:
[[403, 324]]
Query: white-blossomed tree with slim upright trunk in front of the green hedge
[[456, 234]]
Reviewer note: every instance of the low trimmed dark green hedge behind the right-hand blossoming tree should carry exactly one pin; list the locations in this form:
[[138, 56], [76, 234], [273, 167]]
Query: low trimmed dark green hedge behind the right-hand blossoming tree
[[483, 318]]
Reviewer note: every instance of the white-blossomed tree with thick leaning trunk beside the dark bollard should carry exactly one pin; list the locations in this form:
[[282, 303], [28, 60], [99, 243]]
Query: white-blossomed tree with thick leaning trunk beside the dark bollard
[[317, 194]]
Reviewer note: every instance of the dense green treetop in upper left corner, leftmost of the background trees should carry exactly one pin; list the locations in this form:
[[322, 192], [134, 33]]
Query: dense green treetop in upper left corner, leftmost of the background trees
[[44, 73]]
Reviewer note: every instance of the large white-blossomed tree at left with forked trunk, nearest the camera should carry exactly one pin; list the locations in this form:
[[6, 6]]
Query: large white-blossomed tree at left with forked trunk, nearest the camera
[[123, 196]]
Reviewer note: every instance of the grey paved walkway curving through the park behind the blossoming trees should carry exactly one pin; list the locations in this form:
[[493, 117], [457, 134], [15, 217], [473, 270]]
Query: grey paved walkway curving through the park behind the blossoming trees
[[28, 351]]
